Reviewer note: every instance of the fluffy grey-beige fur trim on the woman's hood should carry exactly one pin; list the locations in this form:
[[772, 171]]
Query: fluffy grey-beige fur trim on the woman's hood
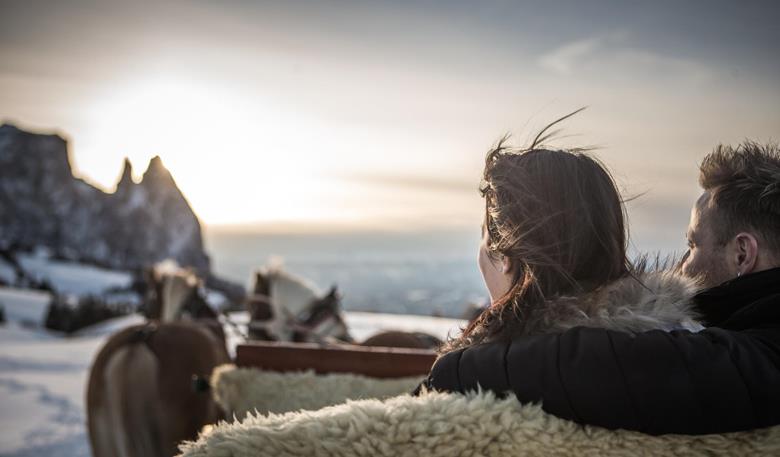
[[639, 302]]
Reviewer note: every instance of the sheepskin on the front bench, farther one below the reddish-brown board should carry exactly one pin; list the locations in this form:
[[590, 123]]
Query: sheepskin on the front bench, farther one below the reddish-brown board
[[243, 390]]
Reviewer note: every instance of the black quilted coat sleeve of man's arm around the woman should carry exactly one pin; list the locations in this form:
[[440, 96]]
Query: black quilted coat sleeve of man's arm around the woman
[[656, 382]]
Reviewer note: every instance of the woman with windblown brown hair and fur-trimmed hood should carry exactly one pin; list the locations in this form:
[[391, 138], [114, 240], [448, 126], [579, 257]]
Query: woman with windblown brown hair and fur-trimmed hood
[[553, 251]]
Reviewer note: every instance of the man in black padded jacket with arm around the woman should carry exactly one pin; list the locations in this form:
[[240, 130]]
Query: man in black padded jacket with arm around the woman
[[725, 378]]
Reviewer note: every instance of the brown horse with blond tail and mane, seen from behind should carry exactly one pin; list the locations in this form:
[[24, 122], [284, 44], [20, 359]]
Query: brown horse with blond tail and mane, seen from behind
[[141, 398]]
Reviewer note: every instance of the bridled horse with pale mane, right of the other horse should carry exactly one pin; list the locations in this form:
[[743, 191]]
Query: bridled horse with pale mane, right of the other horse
[[284, 307]]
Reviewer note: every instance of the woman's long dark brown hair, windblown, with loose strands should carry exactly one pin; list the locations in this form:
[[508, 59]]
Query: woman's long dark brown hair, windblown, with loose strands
[[559, 218]]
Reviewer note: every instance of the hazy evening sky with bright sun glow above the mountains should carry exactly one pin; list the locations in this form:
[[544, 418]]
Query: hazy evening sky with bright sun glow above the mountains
[[377, 115]]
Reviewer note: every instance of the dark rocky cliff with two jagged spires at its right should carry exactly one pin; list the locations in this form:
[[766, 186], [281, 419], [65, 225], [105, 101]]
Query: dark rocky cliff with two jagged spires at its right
[[43, 204]]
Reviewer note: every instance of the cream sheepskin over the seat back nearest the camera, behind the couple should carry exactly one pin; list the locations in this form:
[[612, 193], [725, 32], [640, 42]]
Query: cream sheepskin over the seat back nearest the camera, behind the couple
[[449, 425]]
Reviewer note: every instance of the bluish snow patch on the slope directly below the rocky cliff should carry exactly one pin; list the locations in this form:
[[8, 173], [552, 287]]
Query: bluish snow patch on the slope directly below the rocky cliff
[[72, 277]]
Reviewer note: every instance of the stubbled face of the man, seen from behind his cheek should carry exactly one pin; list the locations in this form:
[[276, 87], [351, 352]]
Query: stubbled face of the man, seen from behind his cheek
[[706, 258]]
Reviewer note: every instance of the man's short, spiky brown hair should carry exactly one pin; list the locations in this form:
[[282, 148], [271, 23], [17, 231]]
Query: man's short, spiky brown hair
[[744, 187]]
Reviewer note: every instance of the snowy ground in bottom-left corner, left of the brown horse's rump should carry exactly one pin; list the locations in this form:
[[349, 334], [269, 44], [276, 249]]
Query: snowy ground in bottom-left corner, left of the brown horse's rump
[[42, 380]]
